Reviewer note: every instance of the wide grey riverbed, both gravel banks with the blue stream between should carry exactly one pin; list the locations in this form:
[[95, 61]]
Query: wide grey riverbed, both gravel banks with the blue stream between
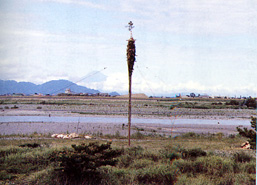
[[118, 109]]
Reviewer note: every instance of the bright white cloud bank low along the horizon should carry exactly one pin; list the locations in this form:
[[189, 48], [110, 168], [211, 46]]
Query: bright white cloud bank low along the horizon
[[119, 82]]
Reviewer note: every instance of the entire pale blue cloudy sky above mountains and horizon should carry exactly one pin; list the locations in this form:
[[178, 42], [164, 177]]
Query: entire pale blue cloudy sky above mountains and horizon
[[182, 46]]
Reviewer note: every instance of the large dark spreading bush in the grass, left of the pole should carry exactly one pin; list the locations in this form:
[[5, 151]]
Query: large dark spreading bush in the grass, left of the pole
[[80, 164]]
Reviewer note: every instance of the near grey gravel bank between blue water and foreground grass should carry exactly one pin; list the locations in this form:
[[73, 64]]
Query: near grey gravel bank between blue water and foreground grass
[[112, 128]]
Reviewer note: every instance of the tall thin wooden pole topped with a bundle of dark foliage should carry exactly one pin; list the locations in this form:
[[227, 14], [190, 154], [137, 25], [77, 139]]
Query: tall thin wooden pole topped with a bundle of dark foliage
[[131, 56]]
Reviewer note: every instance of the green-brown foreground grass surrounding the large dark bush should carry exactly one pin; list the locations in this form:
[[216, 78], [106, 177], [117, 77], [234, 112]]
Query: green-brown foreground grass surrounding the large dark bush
[[187, 159]]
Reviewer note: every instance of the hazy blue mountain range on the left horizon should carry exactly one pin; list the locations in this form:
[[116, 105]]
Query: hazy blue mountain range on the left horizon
[[51, 87]]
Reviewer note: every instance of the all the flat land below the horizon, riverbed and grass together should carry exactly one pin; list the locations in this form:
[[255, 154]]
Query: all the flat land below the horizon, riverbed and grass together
[[188, 141]]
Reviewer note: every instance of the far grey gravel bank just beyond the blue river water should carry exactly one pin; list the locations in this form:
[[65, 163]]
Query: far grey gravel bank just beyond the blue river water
[[120, 109]]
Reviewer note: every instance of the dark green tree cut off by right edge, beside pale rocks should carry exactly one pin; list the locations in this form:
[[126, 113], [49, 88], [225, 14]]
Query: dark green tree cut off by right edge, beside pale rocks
[[251, 134]]
